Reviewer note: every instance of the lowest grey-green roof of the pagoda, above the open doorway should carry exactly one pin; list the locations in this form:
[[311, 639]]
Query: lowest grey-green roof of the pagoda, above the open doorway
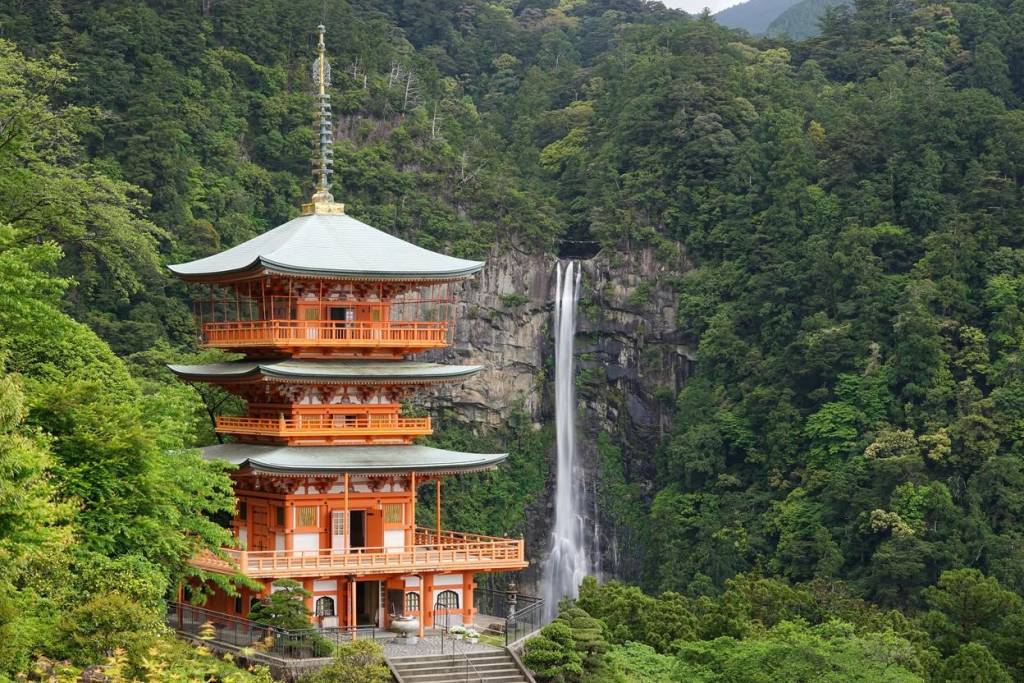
[[353, 459]]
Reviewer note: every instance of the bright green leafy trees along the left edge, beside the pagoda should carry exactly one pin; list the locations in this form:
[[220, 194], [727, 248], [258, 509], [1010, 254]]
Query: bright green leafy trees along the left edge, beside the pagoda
[[102, 501]]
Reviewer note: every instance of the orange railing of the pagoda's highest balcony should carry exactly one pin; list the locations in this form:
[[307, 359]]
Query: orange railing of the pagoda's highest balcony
[[394, 334]]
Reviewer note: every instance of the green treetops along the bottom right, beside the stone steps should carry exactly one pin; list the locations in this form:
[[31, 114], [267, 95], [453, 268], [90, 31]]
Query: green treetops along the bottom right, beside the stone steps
[[764, 630]]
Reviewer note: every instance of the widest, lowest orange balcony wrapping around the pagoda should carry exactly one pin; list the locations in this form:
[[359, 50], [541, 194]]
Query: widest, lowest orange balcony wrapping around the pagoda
[[452, 551]]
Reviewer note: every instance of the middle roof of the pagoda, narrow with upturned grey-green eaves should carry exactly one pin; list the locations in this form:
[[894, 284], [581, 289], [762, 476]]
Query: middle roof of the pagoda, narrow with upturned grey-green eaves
[[329, 372]]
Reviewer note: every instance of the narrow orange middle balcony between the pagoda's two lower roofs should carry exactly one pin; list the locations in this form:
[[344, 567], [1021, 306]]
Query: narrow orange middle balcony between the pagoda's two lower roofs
[[330, 430]]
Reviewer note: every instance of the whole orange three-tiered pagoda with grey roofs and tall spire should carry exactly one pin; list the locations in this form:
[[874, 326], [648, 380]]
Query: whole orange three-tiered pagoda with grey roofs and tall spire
[[326, 311]]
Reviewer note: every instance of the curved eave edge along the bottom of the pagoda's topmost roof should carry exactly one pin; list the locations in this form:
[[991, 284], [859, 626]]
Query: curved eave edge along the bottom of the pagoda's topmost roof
[[263, 267]]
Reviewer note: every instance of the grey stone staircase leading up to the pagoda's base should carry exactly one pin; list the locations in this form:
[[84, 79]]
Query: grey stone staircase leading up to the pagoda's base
[[495, 667]]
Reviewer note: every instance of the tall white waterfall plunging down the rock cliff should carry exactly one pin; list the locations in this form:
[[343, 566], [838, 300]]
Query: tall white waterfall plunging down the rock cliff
[[567, 565]]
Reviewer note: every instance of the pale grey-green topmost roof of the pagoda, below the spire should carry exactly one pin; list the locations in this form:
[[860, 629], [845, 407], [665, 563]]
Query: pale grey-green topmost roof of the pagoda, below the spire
[[331, 246]]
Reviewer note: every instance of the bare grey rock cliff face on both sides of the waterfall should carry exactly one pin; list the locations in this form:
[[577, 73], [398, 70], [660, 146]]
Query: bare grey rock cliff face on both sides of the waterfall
[[631, 360]]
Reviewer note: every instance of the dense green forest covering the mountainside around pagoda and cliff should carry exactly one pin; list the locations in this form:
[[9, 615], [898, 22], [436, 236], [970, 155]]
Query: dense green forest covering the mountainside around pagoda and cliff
[[845, 477]]
